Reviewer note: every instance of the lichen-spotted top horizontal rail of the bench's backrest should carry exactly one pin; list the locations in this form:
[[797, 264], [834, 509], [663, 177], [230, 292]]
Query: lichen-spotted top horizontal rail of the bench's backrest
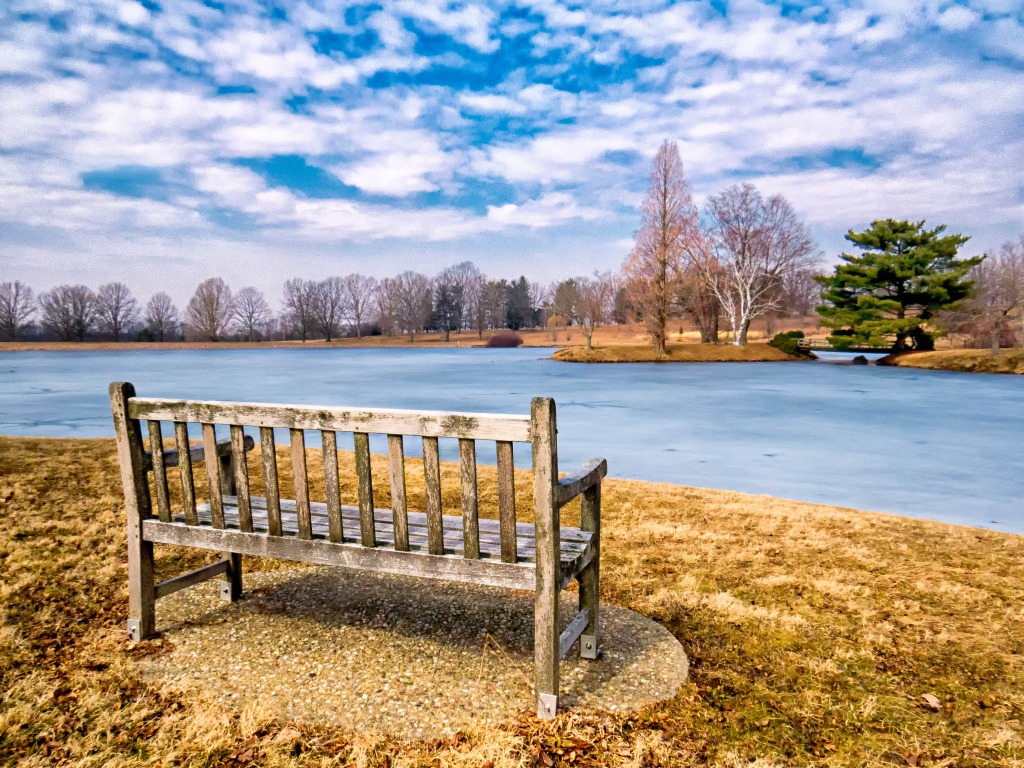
[[425, 423]]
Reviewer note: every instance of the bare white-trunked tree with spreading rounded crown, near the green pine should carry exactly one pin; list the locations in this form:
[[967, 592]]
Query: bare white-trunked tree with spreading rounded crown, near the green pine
[[756, 242]]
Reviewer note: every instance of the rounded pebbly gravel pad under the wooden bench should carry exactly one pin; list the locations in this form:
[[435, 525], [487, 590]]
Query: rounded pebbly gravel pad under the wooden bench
[[415, 658]]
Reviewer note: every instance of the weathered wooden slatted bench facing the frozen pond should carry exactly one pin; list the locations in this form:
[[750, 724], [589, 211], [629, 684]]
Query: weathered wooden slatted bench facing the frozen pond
[[544, 556]]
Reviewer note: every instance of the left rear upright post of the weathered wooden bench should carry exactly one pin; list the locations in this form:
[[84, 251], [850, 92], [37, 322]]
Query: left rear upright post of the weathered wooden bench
[[142, 595]]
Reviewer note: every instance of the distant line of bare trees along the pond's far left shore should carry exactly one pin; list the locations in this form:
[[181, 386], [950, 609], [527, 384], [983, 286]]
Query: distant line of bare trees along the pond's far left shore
[[459, 298]]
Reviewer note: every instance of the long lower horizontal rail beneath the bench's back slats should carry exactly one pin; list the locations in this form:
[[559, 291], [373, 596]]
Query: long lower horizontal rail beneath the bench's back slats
[[490, 573]]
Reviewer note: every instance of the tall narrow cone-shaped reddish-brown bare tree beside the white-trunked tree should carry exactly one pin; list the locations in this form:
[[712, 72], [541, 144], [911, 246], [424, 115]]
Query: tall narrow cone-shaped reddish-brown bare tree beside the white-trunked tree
[[669, 232]]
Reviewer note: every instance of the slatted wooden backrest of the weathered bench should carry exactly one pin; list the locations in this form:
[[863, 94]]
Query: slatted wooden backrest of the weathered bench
[[226, 477]]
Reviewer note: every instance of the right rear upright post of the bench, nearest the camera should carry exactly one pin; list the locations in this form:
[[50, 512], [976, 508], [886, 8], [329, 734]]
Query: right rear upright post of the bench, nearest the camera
[[548, 577]]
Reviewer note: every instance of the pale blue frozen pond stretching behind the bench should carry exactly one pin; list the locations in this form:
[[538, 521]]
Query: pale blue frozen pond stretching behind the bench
[[935, 445]]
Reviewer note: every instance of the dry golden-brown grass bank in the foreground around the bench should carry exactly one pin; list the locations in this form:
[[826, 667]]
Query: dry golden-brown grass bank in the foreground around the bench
[[817, 635]]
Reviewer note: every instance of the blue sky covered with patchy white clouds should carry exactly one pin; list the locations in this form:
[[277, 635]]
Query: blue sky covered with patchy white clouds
[[164, 142]]
